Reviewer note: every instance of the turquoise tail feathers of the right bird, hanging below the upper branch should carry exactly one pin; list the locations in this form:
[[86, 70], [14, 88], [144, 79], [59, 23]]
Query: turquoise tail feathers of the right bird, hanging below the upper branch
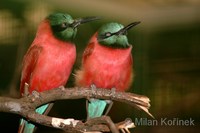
[[96, 108]]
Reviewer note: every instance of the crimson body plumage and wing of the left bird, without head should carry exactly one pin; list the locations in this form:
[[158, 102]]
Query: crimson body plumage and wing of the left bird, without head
[[48, 62]]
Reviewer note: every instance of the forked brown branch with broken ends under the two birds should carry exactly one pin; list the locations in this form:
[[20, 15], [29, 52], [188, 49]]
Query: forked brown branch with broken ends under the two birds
[[26, 106]]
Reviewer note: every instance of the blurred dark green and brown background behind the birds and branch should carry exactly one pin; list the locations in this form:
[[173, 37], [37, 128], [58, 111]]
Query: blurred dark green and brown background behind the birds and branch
[[166, 52]]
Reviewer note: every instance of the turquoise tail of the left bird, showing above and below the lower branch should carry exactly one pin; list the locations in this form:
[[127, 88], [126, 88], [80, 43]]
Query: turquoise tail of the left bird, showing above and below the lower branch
[[27, 127]]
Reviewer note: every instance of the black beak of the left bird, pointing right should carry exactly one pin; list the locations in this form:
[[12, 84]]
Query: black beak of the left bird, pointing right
[[80, 21]]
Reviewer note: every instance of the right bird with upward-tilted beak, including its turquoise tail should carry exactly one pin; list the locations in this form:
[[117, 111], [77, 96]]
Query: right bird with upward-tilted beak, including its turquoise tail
[[106, 63]]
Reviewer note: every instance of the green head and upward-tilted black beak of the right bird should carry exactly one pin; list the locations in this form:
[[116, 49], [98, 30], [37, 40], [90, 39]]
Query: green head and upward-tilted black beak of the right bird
[[114, 35]]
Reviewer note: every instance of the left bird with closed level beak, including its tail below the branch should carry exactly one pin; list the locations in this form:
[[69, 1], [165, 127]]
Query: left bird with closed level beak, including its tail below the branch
[[50, 58]]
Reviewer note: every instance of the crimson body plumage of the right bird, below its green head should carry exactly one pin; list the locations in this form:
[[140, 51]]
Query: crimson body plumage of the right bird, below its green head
[[105, 67]]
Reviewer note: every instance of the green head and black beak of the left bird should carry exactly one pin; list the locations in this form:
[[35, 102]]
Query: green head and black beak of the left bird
[[64, 27]]
